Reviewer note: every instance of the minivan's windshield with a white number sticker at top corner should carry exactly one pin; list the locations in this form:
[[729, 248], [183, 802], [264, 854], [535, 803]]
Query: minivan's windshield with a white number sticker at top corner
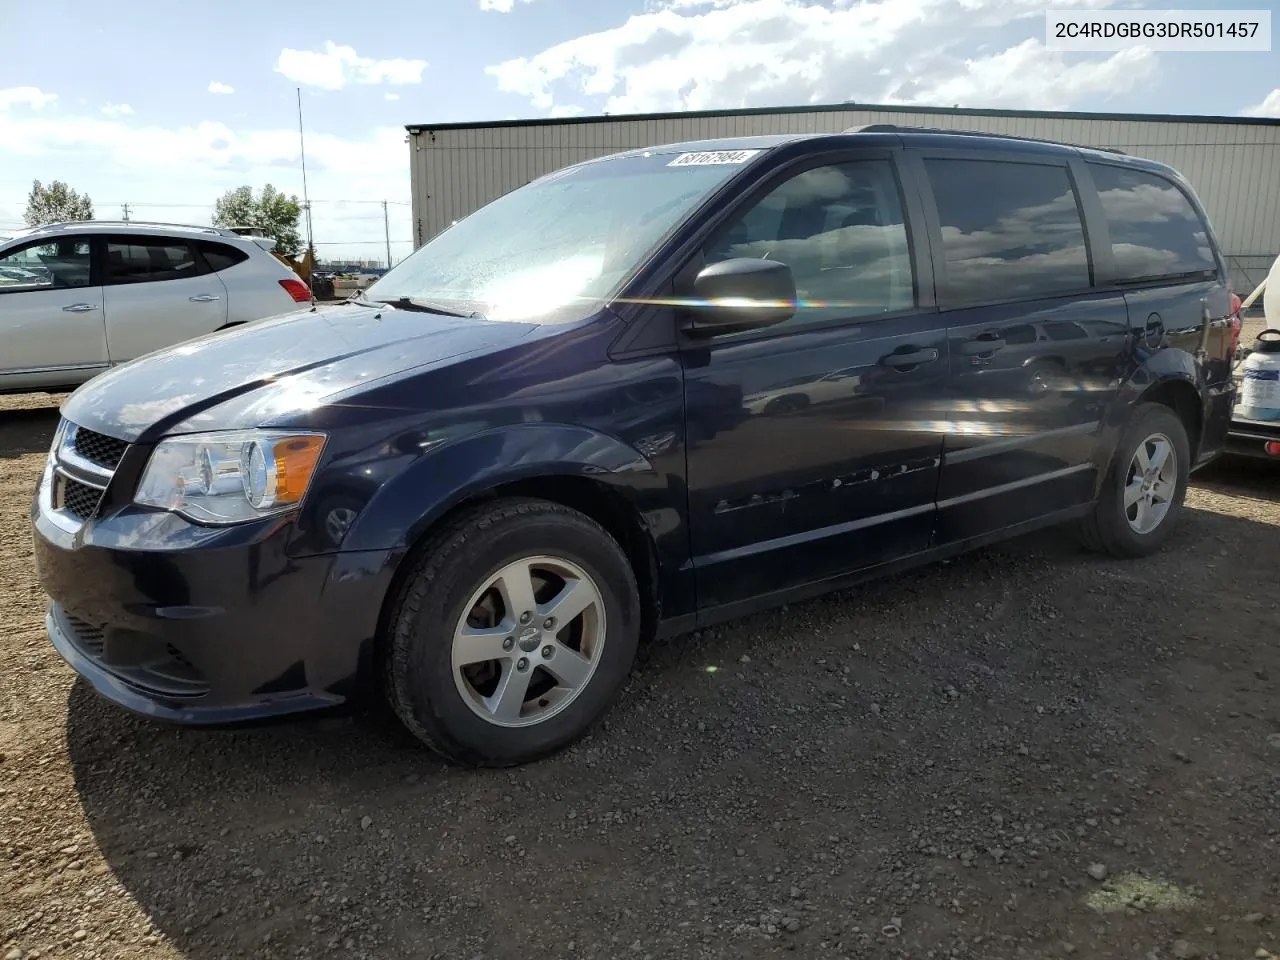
[[555, 249]]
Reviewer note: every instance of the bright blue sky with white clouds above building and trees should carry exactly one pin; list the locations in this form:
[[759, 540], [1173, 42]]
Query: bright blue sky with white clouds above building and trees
[[166, 108]]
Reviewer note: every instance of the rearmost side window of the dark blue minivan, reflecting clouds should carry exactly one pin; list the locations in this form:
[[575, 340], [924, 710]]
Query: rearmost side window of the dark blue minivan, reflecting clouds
[[1155, 230]]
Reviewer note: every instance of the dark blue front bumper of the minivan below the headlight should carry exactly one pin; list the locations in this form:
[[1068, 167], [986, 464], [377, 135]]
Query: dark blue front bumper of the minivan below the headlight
[[217, 634]]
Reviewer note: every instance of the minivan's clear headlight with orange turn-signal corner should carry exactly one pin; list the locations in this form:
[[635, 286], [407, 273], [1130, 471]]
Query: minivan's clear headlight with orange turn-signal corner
[[231, 478]]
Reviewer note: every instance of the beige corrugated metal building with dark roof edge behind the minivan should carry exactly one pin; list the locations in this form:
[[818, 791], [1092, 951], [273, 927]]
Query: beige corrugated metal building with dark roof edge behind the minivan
[[1233, 163]]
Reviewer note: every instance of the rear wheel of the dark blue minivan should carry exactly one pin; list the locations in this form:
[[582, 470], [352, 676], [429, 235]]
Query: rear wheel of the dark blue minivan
[[1145, 488]]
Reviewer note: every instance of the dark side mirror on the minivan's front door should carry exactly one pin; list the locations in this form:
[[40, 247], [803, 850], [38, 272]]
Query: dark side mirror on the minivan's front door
[[740, 295]]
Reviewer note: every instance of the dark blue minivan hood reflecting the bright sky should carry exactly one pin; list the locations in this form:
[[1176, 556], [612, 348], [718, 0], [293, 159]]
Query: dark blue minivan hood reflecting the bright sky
[[271, 371]]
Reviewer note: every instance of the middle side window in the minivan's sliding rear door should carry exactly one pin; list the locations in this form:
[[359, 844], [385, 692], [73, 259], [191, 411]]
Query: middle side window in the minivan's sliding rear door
[[1009, 231]]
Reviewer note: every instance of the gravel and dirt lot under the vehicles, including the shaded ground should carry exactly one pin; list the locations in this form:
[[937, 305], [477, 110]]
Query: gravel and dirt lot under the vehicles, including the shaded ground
[[1027, 753]]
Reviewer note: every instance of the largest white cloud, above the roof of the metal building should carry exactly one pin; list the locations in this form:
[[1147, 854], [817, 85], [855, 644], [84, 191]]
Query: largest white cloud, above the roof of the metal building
[[714, 54]]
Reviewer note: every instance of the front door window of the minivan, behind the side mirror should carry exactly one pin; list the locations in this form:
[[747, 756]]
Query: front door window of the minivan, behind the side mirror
[[842, 231]]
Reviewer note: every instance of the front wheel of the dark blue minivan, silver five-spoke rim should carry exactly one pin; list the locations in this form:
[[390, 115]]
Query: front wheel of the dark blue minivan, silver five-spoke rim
[[514, 634]]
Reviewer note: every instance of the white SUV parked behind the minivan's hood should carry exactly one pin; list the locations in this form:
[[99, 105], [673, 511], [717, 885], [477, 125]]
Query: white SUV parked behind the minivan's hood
[[80, 298]]
